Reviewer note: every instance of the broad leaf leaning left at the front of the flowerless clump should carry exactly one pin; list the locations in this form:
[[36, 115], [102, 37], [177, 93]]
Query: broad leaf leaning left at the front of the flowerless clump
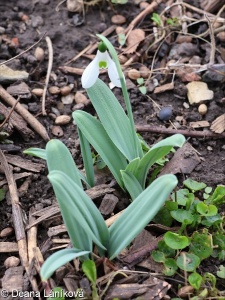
[[75, 205]]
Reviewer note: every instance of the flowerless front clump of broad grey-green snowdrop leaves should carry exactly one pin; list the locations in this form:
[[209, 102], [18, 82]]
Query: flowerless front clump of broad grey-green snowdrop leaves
[[85, 224]]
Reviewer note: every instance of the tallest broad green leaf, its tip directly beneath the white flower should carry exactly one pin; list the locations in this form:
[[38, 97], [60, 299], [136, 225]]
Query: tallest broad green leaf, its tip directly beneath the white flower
[[113, 118]]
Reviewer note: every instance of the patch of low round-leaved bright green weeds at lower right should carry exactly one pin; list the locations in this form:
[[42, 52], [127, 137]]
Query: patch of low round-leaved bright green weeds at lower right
[[201, 234]]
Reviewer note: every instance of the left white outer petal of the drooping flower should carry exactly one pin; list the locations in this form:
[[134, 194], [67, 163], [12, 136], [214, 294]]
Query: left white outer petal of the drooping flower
[[90, 74]]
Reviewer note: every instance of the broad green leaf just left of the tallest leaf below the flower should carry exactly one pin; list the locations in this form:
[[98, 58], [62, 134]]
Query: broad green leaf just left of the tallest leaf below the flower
[[98, 138]]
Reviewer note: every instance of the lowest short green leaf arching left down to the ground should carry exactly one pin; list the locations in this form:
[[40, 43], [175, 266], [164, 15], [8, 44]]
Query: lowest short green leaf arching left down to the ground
[[59, 259]]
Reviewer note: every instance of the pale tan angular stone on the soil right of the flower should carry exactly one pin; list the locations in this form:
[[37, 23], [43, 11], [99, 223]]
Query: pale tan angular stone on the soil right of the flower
[[198, 92]]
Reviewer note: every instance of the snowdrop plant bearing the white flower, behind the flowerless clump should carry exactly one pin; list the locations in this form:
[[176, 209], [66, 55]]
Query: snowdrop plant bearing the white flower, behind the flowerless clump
[[113, 134]]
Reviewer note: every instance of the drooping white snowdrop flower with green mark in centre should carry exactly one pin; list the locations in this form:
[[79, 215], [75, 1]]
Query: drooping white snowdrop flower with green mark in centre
[[102, 60]]
